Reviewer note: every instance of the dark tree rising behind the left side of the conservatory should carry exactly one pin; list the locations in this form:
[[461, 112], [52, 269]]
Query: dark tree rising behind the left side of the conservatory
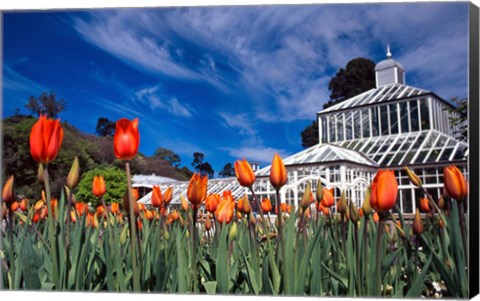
[[357, 77]]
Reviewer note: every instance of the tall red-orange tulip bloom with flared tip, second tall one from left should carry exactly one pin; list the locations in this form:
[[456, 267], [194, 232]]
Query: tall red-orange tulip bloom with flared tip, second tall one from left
[[126, 139]]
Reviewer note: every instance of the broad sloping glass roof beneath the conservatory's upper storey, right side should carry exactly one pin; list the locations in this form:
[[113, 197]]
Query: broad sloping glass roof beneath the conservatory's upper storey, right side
[[422, 147]]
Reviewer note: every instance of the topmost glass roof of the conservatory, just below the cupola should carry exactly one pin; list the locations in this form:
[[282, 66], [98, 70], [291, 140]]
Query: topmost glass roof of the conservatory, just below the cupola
[[381, 94]]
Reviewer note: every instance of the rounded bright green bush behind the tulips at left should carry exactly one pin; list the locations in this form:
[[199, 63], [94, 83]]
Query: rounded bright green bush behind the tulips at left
[[115, 181]]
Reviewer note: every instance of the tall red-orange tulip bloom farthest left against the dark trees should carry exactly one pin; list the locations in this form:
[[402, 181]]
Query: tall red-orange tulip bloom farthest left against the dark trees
[[46, 139]]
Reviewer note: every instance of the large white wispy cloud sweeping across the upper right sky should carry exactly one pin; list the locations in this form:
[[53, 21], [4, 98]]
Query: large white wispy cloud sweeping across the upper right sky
[[282, 57]]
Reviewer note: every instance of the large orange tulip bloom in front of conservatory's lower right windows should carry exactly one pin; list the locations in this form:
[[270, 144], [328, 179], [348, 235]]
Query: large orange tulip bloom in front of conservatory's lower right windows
[[384, 191]]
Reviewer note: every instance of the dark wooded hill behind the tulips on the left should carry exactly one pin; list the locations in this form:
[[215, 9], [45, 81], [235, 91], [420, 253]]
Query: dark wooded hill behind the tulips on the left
[[93, 151]]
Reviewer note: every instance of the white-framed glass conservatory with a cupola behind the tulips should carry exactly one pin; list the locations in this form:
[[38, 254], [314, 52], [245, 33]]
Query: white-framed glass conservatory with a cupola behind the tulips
[[391, 126]]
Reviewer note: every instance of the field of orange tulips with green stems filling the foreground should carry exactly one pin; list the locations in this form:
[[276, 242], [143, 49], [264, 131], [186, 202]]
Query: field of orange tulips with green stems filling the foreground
[[216, 244]]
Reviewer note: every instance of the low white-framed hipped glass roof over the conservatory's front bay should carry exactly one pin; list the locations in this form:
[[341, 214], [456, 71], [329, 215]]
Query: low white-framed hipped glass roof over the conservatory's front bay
[[322, 153]]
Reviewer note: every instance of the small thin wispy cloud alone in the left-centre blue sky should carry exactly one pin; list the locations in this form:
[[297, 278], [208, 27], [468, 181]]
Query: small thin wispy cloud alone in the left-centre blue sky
[[153, 97]]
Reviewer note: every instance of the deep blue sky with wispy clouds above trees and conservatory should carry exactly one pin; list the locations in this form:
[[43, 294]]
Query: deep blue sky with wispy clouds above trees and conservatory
[[231, 82]]
